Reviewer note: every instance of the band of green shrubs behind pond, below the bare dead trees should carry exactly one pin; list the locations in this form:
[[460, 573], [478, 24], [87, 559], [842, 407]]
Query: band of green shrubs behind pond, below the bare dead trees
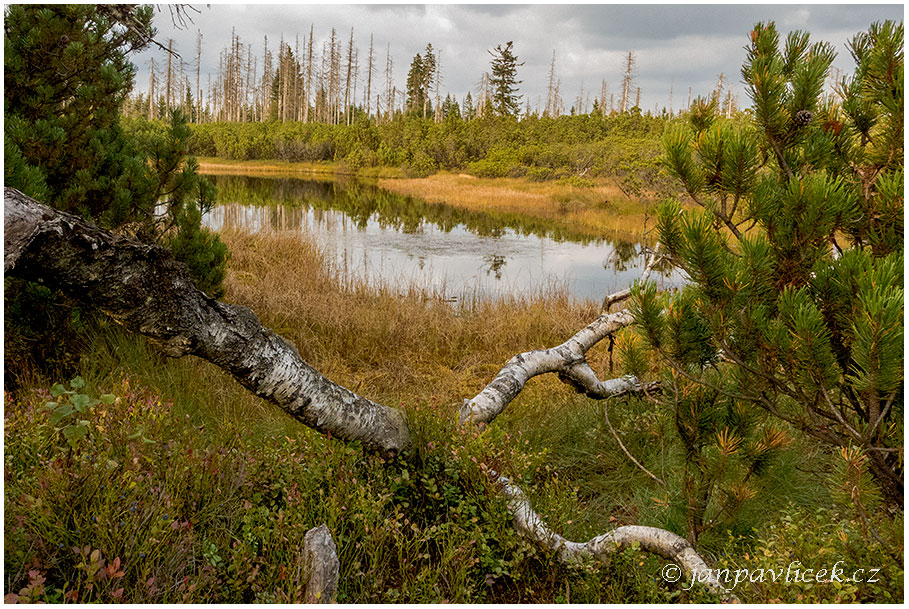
[[586, 147]]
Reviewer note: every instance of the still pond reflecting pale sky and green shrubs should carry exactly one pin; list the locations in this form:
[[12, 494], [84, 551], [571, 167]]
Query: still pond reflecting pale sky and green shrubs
[[401, 242]]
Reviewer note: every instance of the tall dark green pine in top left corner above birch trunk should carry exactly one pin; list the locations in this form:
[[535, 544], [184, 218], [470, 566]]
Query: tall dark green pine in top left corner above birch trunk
[[73, 156]]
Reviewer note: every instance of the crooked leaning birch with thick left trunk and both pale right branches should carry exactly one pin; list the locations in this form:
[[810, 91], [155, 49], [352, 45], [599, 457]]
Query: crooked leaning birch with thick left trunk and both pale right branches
[[147, 292]]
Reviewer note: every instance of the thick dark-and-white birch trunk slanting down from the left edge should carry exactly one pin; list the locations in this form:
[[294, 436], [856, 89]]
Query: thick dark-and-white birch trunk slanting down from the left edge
[[143, 288]]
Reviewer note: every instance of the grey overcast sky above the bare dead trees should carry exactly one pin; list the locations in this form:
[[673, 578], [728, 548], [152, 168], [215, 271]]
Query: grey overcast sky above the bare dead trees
[[675, 46]]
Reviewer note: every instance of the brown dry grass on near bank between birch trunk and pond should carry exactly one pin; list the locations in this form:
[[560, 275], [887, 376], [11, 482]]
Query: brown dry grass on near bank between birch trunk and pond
[[392, 348]]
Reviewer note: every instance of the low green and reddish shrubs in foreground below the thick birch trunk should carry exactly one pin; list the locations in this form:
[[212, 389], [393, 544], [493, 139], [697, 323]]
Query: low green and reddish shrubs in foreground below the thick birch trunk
[[156, 509]]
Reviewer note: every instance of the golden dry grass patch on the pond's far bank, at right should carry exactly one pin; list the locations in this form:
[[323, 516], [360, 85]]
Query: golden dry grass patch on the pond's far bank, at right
[[598, 211]]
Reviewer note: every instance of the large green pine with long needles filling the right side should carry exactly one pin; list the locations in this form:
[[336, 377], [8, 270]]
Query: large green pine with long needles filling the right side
[[781, 316]]
